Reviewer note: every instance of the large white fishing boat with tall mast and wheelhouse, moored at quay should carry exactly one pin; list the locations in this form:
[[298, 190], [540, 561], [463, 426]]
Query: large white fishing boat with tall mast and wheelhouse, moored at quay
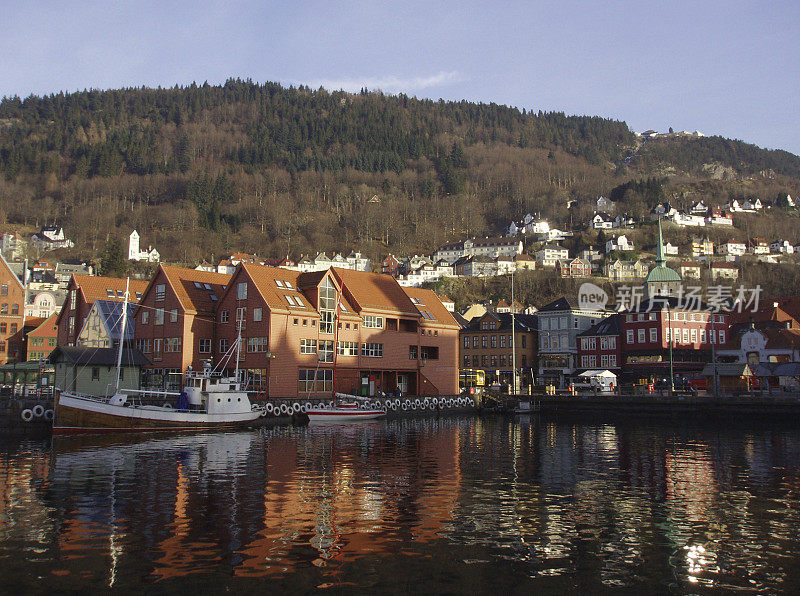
[[207, 401]]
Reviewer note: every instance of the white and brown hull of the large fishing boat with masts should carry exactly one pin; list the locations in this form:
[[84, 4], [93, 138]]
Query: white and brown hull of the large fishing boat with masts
[[74, 416]]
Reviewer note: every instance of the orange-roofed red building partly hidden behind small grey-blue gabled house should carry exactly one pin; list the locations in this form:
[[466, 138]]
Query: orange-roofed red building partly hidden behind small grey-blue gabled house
[[82, 291]]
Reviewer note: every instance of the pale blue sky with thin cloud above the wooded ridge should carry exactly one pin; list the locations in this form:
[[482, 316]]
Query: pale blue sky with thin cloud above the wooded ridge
[[729, 68]]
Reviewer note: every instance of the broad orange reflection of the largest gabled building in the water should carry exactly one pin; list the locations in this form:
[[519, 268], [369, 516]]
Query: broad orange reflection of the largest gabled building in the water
[[351, 490]]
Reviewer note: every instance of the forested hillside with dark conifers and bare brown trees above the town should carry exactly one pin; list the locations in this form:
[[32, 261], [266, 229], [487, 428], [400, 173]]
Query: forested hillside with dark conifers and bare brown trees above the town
[[204, 170]]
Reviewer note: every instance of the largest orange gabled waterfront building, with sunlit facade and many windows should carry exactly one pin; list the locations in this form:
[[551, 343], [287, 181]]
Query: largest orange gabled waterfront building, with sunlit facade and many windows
[[357, 332]]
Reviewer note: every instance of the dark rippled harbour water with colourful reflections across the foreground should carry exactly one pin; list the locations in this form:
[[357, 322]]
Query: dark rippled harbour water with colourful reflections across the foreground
[[455, 505]]
